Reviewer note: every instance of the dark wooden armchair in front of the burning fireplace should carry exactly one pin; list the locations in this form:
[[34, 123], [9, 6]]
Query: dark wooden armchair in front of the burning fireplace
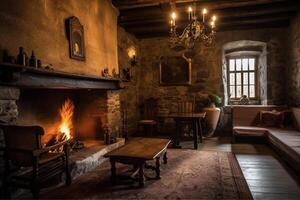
[[29, 165]]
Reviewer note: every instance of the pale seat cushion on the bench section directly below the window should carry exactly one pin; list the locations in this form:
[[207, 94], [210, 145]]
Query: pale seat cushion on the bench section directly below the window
[[249, 131]]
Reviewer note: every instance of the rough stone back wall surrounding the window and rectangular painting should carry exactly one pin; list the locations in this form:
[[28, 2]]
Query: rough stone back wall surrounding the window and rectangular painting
[[207, 67]]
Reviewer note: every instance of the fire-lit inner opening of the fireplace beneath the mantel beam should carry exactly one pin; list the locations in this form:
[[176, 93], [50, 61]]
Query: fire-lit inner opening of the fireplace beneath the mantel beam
[[91, 116]]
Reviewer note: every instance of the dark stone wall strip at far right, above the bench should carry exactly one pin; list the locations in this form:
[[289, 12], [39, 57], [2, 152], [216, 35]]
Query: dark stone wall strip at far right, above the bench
[[293, 67]]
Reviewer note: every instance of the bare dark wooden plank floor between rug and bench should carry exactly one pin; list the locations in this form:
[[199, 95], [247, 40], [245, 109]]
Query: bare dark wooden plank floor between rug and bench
[[266, 174]]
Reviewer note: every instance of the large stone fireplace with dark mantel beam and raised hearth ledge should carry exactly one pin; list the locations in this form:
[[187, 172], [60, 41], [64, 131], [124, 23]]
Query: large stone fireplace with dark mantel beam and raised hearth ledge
[[35, 97]]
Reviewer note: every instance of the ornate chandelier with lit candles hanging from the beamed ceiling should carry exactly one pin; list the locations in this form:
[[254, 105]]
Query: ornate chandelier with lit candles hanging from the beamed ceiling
[[196, 30]]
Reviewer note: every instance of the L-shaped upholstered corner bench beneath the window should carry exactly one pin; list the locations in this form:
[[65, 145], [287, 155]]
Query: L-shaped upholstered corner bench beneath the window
[[286, 141]]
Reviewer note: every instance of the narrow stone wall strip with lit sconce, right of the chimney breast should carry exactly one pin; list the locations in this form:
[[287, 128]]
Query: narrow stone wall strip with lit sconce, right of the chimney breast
[[129, 95]]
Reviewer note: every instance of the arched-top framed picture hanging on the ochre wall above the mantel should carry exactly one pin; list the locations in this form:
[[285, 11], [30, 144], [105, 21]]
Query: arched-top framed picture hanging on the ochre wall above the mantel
[[76, 39]]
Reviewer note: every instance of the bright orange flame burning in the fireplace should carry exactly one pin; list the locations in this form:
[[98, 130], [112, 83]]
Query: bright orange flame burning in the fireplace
[[66, 114]]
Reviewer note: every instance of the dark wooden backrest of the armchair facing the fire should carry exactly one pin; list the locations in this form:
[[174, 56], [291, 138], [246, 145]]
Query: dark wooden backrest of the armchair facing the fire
[[18, 138]]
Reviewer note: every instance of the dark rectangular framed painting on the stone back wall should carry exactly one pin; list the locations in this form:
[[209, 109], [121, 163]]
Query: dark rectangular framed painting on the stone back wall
[[175, 70]]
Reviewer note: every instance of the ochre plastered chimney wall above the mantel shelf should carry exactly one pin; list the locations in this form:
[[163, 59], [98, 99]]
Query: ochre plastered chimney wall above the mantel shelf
[[39, 25]]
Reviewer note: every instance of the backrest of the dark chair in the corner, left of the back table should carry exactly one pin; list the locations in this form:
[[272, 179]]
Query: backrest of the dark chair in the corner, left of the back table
[[149, 109]]
